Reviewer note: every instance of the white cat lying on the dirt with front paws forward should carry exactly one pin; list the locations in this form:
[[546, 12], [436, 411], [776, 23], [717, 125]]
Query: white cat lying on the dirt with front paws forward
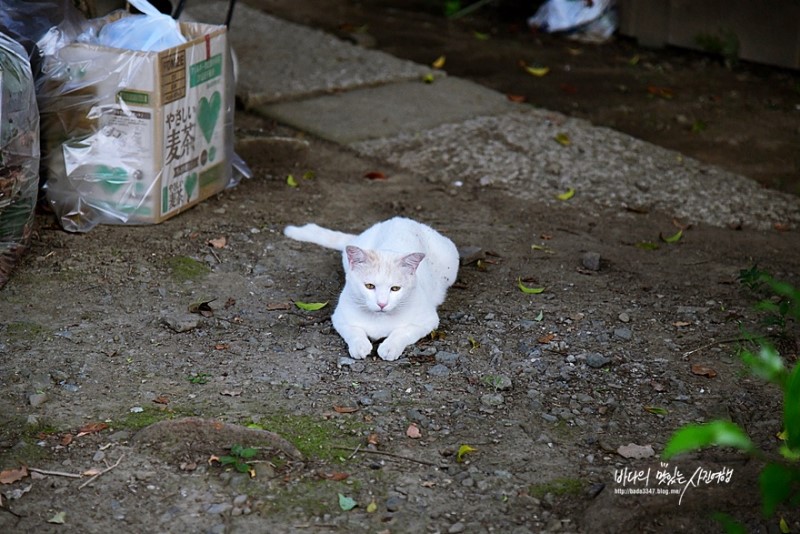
[[396, 274]]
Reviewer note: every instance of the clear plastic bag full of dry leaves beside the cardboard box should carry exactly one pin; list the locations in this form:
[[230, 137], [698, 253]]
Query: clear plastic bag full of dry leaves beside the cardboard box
[[19, 154]]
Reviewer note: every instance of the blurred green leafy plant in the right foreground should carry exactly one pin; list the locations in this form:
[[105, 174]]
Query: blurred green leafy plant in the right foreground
[[779, 480]]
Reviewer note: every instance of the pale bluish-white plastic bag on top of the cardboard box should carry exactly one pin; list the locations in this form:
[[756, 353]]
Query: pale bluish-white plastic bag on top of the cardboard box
[[150, 32]]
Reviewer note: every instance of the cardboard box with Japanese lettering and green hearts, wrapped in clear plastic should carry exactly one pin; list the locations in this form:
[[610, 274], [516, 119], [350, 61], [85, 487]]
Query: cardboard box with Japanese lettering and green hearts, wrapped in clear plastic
[[137, 137]]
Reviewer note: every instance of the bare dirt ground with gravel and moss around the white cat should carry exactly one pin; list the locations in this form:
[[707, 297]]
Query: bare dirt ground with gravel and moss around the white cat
[[101, 361]]
